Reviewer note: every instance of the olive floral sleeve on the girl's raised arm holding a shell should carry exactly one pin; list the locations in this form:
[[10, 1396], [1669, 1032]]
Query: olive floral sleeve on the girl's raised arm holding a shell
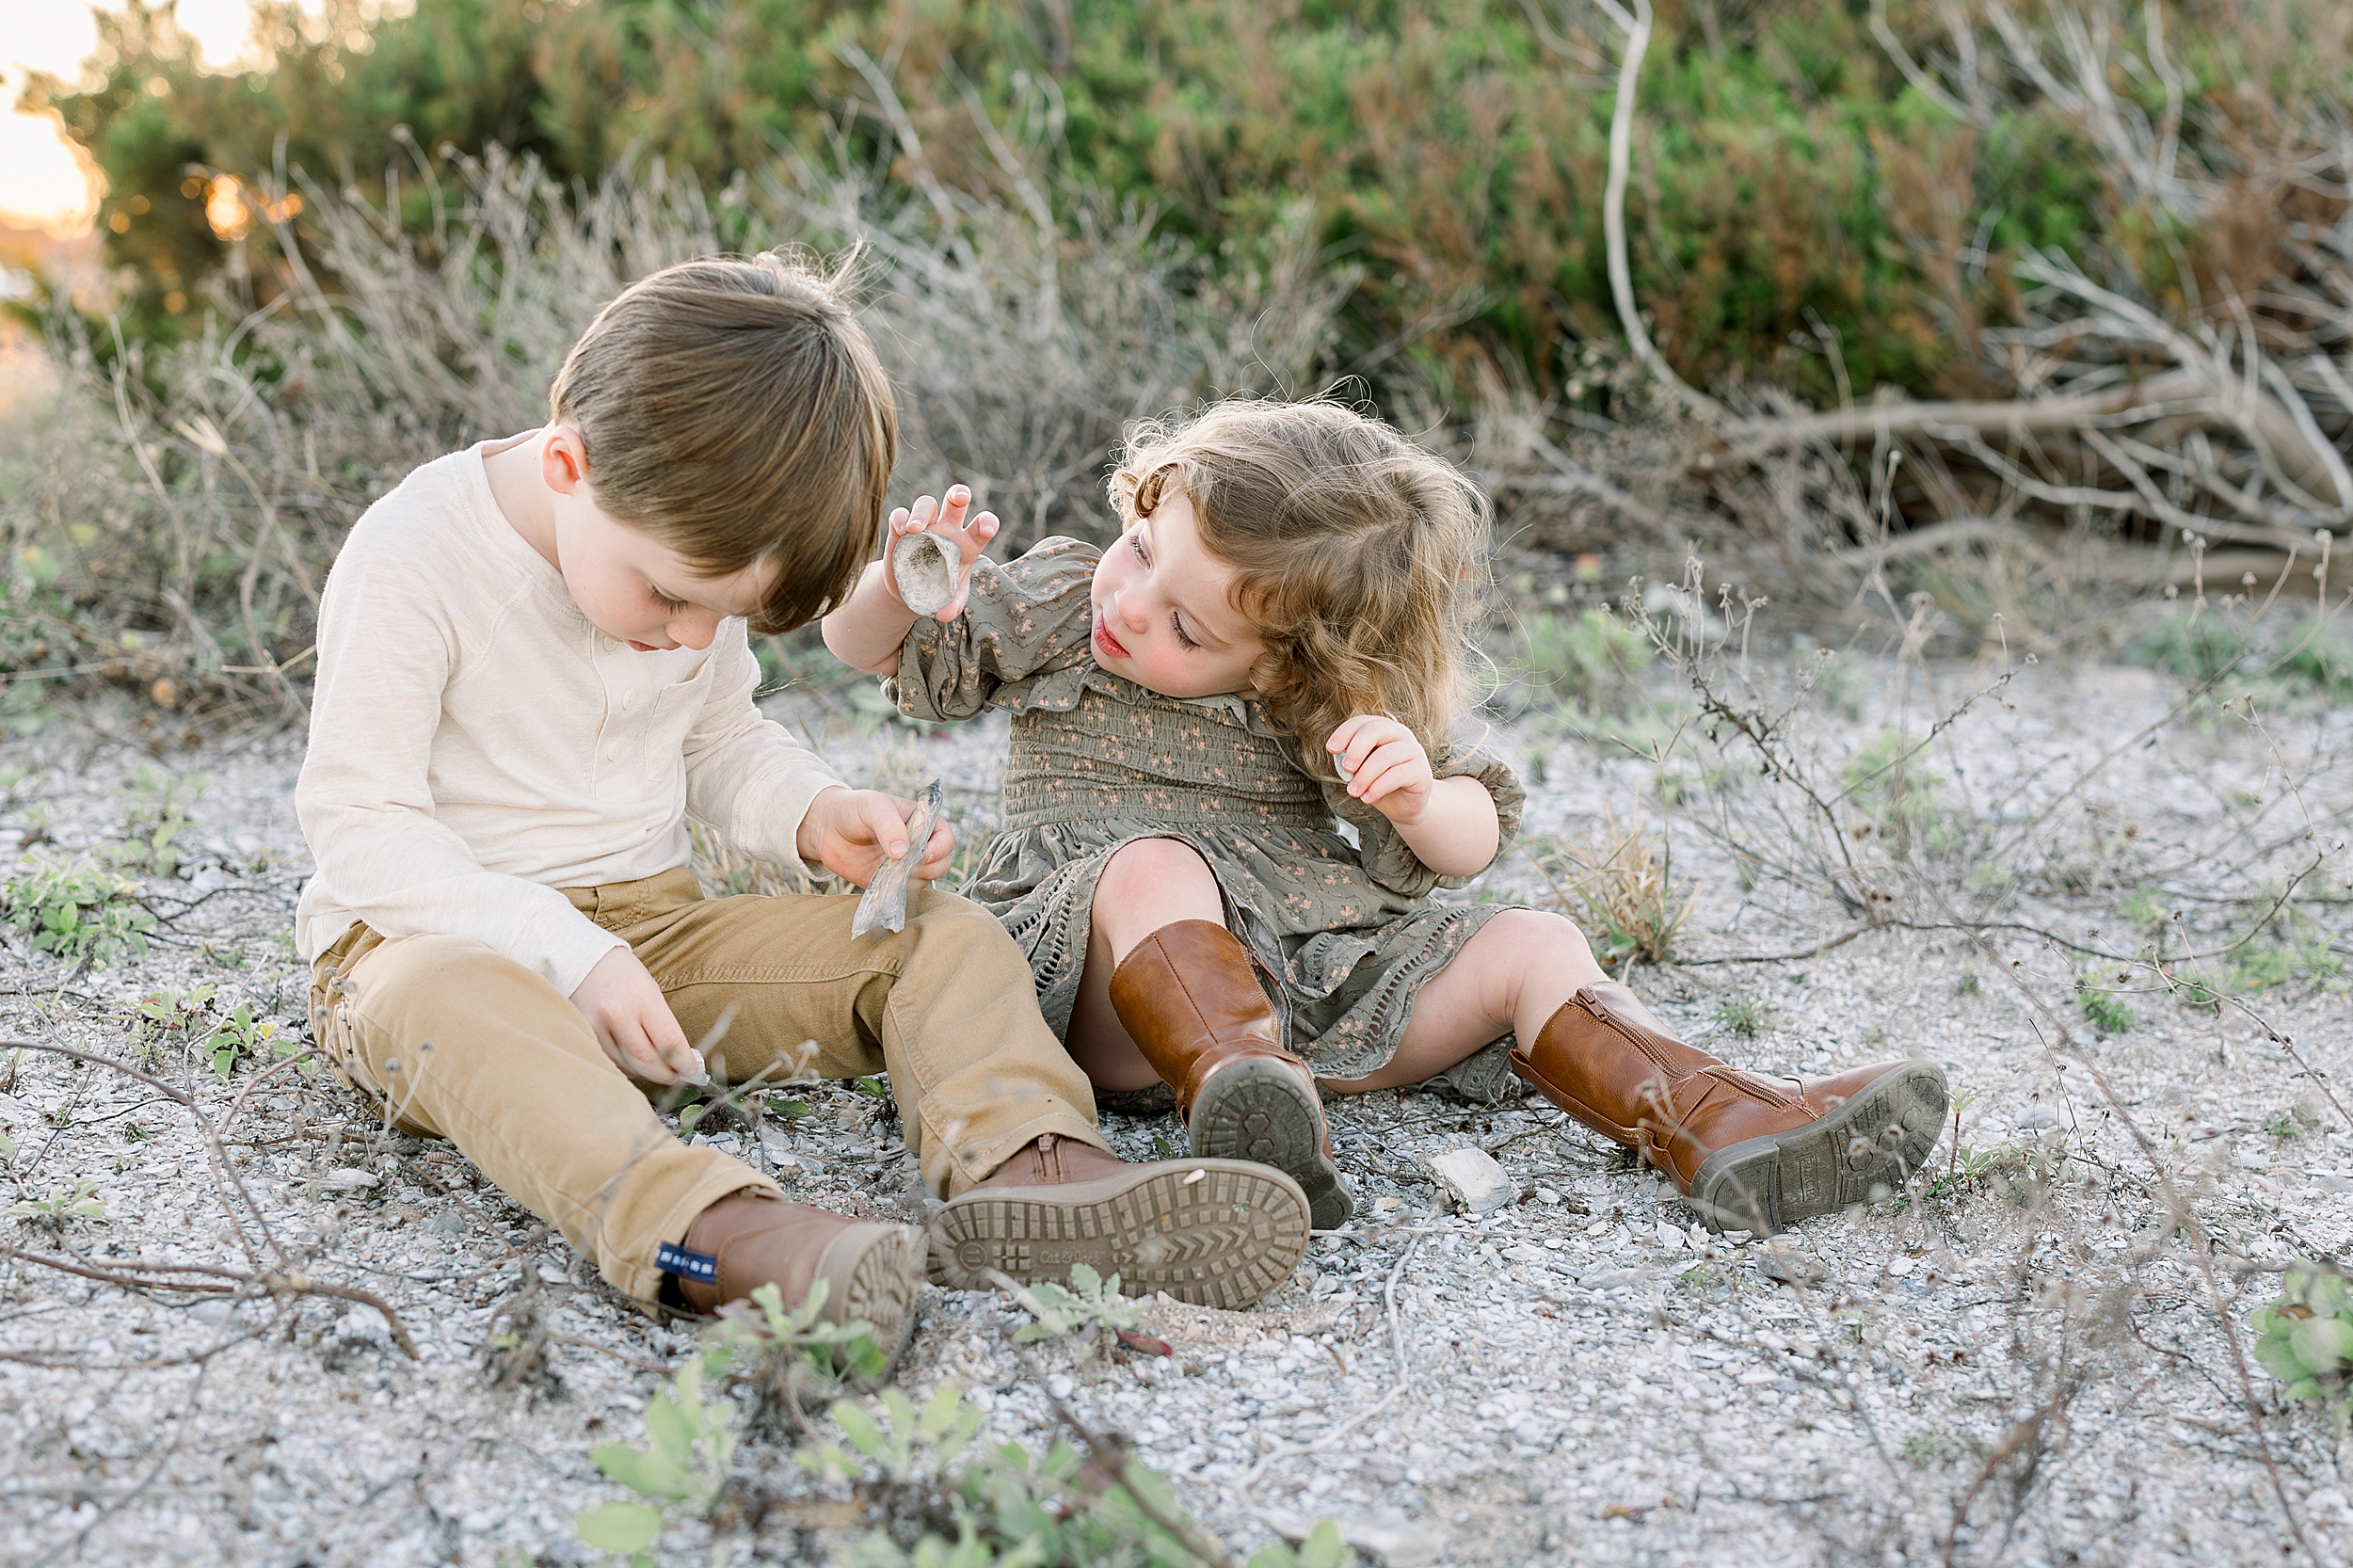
[[1020, 642]]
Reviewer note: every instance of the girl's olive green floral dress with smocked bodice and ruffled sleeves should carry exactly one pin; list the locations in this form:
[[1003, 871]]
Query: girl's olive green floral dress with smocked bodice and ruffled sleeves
[[1342, 936]]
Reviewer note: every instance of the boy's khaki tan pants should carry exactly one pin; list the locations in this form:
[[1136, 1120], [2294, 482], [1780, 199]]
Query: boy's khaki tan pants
[[465, 1044]]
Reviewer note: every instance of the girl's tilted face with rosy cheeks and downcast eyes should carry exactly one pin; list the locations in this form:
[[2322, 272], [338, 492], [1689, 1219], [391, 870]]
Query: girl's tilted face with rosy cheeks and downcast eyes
[[1164, 609]]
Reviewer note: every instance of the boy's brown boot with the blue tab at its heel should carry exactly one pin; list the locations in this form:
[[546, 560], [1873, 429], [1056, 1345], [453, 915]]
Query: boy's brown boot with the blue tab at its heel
[[754, 1240]]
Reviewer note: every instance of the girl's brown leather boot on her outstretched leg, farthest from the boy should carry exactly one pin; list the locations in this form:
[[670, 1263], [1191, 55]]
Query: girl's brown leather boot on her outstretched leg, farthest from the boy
[[1747, 1152]]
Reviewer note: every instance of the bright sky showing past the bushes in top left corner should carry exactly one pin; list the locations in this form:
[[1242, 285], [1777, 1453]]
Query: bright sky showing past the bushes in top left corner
[[41, 182]]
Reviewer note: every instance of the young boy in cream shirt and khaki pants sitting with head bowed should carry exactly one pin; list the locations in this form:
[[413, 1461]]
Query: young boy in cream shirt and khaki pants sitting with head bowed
[[533, 665]]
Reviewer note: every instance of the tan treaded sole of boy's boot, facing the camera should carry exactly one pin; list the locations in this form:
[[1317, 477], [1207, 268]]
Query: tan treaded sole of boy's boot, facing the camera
[[1208, 1233]]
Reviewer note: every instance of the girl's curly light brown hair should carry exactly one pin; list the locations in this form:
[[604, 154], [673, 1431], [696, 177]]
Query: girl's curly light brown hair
[[1354, 557]]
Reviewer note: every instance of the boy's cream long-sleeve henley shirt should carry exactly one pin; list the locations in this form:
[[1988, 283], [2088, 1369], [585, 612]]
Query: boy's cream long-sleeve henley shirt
[[479, 745]]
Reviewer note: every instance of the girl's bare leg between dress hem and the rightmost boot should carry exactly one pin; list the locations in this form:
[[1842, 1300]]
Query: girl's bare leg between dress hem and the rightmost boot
[[1512, 976]]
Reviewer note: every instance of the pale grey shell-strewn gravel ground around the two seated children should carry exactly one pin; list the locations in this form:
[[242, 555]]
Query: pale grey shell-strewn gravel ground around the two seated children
[[2032, 1360]]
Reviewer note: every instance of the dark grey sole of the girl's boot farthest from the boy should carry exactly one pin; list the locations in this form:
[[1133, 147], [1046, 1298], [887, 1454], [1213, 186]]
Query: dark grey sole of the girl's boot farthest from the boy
[[1858, 1155]]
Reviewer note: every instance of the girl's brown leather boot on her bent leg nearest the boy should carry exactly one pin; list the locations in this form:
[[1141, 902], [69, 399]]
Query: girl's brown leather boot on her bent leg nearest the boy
[[1194, 1009]]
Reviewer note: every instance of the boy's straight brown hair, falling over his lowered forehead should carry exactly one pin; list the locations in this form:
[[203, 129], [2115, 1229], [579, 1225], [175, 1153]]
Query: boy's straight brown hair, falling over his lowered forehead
[[735, 411]]
